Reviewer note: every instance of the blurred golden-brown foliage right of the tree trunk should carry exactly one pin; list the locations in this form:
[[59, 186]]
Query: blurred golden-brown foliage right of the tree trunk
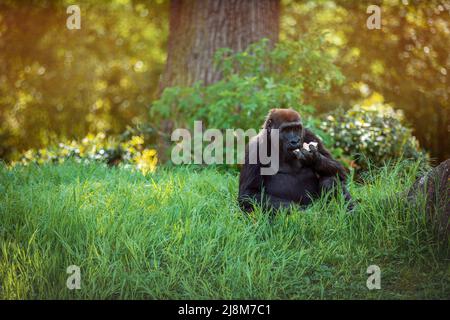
[[407, 61]]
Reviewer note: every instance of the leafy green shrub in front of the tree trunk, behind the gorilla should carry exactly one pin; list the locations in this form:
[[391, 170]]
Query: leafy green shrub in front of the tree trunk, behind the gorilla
[[255, 80]]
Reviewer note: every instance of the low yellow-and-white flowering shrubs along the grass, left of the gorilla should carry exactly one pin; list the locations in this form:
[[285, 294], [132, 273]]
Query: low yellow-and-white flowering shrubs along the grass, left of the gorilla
[[97, 148]]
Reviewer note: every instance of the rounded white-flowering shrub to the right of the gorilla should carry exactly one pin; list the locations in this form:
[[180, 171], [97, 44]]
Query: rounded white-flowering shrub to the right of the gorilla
[[374, 132]]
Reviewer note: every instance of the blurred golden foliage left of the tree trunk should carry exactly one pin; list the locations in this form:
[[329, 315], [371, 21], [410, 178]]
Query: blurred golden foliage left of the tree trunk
[[58, 84]]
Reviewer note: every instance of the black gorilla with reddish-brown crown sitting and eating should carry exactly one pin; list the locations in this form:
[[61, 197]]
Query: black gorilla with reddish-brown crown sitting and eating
[[302, 175]]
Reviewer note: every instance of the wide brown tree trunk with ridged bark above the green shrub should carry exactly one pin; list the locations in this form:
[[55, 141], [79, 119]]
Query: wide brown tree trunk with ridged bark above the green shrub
[[197, 28]]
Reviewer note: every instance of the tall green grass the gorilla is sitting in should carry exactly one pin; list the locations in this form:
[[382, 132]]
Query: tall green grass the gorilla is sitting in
[[178, 233]]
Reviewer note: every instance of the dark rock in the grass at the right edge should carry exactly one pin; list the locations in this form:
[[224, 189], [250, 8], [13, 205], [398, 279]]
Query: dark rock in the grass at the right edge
[[436, 187]]
